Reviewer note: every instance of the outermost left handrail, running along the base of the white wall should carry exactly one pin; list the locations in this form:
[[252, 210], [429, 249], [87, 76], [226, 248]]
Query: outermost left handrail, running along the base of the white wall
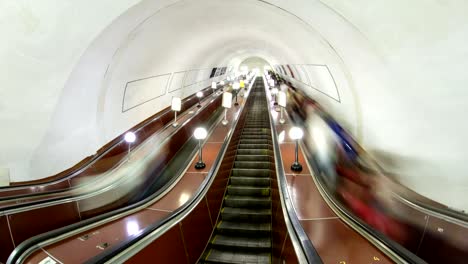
[[95, 156]]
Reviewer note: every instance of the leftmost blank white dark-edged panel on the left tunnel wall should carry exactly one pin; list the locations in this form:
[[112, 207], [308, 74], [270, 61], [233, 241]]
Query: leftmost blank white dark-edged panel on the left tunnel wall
[[142, 91]]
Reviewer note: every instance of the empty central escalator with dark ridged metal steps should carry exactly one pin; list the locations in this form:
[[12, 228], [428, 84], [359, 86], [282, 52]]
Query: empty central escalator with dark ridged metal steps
[[243, 233]]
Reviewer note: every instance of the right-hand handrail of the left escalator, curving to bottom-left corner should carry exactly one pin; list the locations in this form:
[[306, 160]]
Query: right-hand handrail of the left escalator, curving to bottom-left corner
[[34, 243]]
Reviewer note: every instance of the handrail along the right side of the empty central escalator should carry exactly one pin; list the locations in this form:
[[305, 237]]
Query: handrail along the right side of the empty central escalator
[[298, 234]]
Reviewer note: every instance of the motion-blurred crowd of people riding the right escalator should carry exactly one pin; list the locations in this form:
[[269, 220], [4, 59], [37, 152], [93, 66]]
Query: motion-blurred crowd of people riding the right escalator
[[360, 186]]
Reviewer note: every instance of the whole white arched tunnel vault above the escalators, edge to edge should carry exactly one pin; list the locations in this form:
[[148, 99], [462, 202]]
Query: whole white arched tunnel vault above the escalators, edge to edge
[[392, 61]]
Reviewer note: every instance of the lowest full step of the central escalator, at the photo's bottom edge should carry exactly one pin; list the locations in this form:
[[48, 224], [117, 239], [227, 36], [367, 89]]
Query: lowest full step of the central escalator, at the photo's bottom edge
[[224, 256]]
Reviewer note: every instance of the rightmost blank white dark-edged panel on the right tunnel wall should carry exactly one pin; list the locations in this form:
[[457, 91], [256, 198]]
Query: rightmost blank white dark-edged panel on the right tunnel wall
[[322, 80]]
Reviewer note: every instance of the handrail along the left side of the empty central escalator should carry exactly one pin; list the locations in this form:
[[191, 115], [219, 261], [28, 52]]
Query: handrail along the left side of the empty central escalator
[[155, 230]]
